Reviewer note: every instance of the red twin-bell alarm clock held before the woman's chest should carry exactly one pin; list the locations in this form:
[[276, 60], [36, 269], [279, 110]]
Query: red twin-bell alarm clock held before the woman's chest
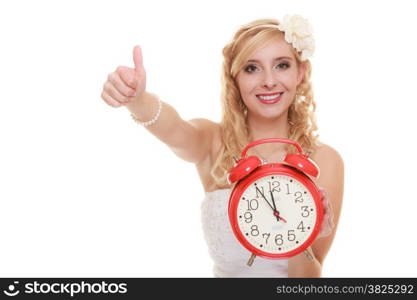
[[275, 209]]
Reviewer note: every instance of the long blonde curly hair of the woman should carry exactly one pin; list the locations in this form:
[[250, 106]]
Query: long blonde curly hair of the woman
[[234, 127]]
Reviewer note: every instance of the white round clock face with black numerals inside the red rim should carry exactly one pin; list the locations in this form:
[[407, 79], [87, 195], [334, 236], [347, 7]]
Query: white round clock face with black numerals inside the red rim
[[276, 214]]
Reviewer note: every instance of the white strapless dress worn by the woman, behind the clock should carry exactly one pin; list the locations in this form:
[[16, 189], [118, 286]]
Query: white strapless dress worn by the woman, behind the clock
[[229, 256]]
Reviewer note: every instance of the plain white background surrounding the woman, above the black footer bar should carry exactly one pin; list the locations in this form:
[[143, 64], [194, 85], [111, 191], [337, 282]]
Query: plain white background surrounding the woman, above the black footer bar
[[84, 191]]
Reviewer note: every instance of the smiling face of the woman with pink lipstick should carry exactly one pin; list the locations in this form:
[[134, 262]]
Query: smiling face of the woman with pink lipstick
[[268, 80]]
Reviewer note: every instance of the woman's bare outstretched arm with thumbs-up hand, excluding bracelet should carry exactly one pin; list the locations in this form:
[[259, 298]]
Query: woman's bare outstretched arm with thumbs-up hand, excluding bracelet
[[189, 140]]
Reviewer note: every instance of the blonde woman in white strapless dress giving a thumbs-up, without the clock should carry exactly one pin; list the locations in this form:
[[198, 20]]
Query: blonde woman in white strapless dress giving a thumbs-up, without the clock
[[266, 92]]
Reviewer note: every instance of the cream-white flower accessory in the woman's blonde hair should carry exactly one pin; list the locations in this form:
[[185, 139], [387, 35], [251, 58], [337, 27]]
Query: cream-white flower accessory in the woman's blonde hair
[[299, 33]]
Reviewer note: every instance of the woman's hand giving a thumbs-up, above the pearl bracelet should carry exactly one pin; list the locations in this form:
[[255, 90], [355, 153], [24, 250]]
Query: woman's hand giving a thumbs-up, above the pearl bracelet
[[125, 84]]
